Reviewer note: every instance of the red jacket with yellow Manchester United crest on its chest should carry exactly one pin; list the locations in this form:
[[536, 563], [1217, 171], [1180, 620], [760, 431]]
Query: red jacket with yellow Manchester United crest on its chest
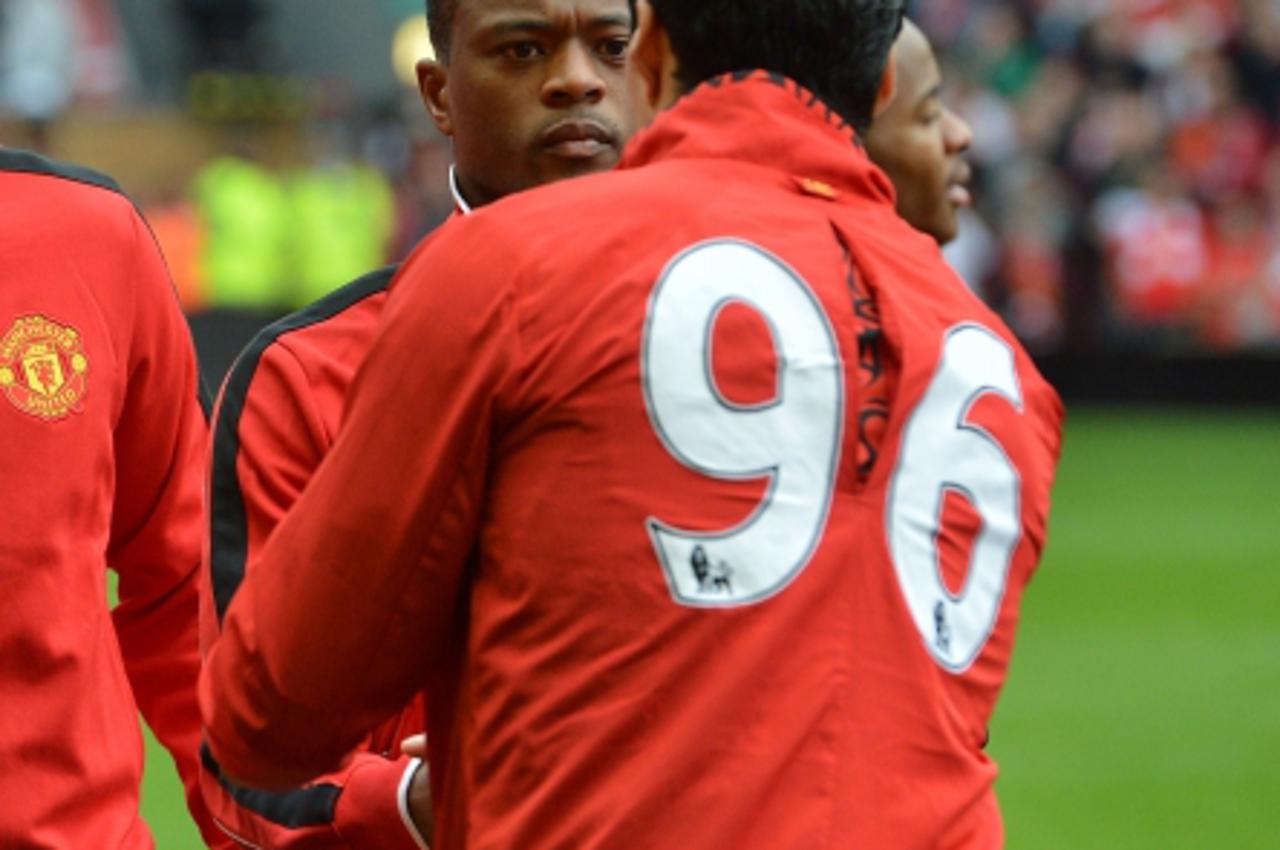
[[102, 435]]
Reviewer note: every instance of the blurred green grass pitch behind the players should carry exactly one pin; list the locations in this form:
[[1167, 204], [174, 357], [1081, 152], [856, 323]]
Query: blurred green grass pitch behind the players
[[1144, 706]]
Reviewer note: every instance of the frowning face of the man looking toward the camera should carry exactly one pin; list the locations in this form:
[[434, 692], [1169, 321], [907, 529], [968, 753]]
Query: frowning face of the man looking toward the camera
[[536, 92]]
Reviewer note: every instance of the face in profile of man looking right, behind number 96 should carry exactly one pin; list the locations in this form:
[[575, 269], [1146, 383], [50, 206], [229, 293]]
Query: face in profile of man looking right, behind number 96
[[921, 144]]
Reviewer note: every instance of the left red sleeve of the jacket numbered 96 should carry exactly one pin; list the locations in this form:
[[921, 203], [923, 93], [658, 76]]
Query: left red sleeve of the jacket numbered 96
[[346, 616]]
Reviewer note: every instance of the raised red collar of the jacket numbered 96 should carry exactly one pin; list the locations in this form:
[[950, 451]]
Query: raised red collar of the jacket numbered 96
[[766, 120]]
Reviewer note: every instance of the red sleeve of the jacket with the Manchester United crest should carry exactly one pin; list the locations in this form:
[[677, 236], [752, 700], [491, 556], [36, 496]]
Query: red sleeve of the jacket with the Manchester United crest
[[156, 540]]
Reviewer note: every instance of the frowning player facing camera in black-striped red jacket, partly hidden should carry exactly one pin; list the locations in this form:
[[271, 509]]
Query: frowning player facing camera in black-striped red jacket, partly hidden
[[531, 93]]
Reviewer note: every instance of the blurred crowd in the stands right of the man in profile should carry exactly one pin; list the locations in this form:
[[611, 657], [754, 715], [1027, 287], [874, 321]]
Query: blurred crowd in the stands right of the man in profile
[[1128, 167]]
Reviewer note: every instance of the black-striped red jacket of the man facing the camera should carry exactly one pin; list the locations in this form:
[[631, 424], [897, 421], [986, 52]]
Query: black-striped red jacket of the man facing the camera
[[276, 421]]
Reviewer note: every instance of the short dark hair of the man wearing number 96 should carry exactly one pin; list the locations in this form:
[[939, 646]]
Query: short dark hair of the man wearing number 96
[[836, 49]]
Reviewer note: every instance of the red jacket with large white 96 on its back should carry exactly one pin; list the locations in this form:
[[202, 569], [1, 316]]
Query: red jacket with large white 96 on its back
[[598, 490]]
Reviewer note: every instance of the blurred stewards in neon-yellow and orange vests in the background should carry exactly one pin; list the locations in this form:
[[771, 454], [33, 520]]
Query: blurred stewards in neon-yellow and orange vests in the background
[[259, 235]]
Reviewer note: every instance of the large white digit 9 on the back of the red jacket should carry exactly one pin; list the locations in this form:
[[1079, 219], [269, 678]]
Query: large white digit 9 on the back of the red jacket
[[794, 440]]
